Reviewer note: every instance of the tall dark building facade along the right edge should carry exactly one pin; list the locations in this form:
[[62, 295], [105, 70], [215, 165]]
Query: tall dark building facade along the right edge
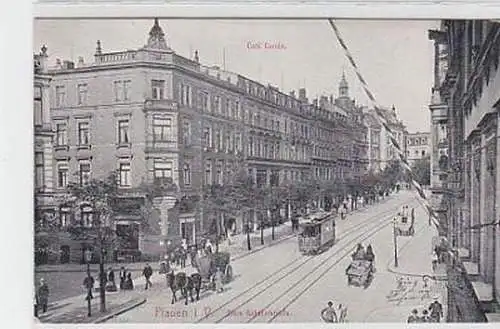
[[470, 91]]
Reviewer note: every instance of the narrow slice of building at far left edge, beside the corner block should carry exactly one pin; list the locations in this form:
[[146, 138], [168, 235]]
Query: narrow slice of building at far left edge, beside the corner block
[[44, 182]]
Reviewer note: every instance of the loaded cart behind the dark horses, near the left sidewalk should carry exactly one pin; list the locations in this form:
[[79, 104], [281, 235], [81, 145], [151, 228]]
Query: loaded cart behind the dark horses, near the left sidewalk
[[207, 266]]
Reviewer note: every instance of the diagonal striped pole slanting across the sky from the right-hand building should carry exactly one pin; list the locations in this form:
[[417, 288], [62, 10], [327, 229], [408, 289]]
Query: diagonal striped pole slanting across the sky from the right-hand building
[[383, 121]]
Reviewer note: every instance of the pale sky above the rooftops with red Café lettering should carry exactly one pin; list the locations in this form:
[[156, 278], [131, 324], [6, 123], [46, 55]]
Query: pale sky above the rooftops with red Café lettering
[[395, 57]]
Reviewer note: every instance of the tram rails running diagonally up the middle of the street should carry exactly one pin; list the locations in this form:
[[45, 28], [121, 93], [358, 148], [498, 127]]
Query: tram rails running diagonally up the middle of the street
[[283, 272]]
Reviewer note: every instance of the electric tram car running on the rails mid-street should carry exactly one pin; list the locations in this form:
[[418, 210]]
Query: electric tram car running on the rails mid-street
[[317, 233]]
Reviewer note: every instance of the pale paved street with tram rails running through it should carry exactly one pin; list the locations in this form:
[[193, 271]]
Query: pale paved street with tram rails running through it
[[278, 284]]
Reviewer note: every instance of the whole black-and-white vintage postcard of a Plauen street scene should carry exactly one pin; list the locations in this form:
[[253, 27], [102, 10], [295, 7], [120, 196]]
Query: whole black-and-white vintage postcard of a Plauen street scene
[[230, 171]]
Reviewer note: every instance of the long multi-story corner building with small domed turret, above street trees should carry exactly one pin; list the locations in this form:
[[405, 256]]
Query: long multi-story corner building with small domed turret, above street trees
[[157, 117]]
